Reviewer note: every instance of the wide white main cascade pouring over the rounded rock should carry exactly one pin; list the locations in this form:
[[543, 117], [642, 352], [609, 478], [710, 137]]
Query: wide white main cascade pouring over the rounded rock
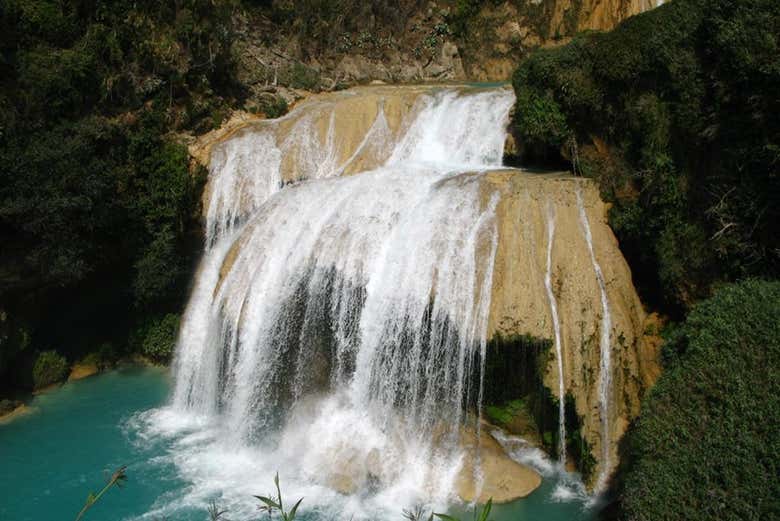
[[337, 325]]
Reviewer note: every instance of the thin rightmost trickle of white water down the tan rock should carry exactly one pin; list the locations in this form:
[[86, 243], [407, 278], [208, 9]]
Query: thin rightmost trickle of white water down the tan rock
[[605, 369]]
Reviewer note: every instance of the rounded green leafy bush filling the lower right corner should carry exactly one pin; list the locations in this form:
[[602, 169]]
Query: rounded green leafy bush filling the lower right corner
[[706, 445]]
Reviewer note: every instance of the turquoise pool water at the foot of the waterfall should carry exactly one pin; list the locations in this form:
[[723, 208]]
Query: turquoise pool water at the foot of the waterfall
[[75, 436]]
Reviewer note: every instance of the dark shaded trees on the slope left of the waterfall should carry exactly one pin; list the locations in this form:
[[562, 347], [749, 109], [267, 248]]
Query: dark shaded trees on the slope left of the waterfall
[[98, 203]]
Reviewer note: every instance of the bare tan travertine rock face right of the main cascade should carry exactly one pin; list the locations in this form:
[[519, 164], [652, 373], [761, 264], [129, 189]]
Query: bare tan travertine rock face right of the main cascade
[[519, 305]]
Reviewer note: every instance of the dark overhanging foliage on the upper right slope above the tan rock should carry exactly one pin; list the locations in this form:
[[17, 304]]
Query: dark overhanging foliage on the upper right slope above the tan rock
[[675, 113]]
